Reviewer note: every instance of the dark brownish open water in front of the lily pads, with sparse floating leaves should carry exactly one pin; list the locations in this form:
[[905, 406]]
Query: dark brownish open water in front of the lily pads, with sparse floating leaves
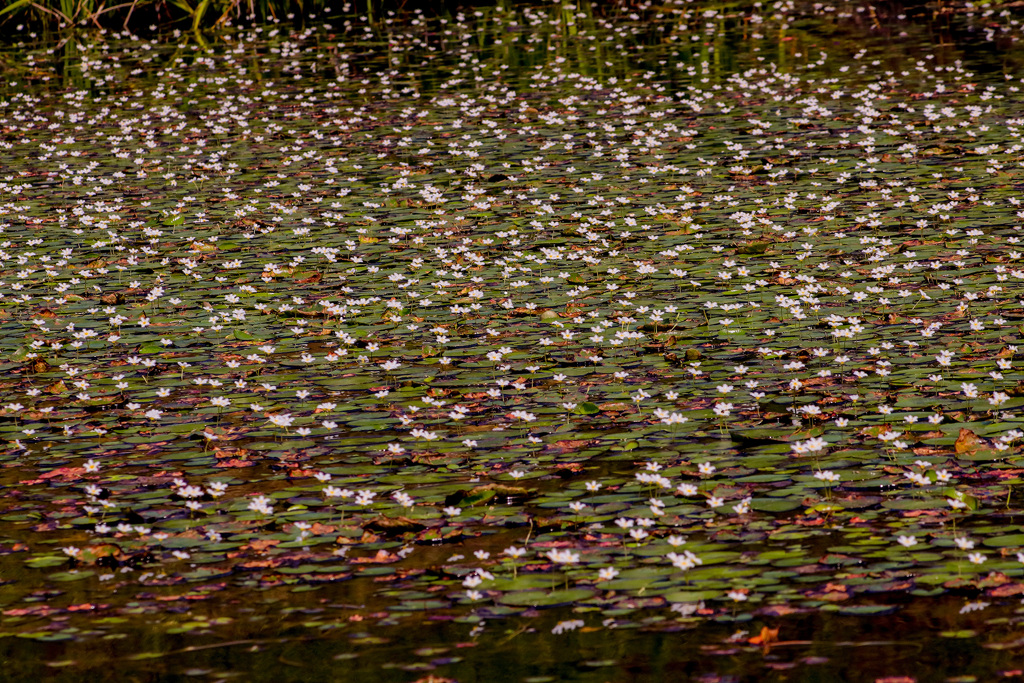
[[312, 641]]
